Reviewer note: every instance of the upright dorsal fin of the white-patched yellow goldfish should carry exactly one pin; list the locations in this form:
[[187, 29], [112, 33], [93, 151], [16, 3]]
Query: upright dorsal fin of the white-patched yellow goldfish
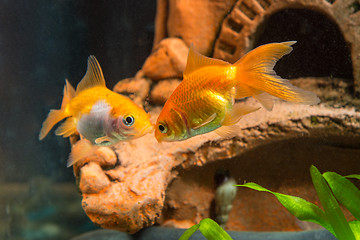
[[93, 76]]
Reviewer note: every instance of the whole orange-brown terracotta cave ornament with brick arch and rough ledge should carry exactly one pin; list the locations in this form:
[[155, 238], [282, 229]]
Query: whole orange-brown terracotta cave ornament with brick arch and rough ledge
[[171, 183]]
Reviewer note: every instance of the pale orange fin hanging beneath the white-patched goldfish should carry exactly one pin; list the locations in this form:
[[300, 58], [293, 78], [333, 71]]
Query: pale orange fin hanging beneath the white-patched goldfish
[[81, 150]]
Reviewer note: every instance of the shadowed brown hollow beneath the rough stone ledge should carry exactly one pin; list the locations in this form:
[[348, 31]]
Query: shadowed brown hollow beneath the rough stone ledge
[[281, 166]]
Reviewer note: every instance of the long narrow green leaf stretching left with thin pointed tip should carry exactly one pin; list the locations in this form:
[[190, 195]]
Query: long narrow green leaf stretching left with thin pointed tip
[[300, 208]]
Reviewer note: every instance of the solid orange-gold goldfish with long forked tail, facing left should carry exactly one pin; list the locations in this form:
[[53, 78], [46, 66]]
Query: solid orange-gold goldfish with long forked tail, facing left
[[205, 99]]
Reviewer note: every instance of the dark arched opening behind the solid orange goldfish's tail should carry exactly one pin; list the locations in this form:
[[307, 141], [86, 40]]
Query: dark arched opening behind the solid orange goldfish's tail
[[320, 51]]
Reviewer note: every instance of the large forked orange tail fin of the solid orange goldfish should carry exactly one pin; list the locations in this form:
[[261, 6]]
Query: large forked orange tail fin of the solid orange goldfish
[[256, 75]]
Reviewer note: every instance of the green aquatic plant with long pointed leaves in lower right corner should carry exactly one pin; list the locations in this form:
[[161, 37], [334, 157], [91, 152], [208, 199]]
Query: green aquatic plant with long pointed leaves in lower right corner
[[332, 189]]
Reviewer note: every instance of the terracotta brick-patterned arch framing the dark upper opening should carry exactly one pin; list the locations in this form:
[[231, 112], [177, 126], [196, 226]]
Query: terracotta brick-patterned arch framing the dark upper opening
[[240, 26]]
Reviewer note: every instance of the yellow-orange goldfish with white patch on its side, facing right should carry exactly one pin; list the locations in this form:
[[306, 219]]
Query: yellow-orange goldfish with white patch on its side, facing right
[[99, 115]]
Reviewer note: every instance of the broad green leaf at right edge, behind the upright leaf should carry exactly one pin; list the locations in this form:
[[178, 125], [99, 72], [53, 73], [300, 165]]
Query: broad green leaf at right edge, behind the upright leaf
[[345, 192]]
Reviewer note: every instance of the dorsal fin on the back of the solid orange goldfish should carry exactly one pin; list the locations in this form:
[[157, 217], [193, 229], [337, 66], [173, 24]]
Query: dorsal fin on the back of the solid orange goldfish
[[196, 61]]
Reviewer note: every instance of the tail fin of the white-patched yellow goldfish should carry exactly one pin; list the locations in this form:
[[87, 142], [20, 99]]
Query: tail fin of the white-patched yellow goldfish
[[56, 116]]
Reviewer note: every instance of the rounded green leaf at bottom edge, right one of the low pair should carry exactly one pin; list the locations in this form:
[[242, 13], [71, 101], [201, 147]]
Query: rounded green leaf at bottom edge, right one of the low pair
[[212, 231]]
